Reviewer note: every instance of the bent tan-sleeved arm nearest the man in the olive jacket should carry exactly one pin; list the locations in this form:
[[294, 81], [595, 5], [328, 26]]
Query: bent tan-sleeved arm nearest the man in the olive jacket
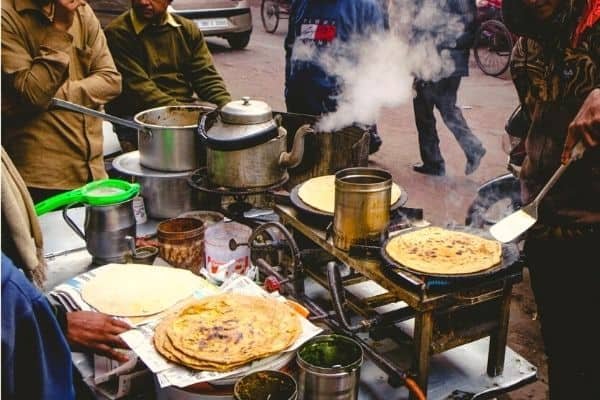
[[103, 81]]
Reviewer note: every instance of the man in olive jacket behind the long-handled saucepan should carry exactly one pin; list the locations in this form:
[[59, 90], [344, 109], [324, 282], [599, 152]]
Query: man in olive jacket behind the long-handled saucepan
[[164, 61]]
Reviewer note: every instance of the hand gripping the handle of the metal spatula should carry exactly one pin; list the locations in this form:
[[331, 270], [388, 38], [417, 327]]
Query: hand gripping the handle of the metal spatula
[[585, 126]]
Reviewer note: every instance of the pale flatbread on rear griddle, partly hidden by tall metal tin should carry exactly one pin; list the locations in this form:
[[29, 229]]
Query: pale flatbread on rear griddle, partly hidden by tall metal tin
[[319, 193]]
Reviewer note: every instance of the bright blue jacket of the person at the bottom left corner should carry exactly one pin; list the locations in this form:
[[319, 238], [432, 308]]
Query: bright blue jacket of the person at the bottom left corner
[[36, 360]]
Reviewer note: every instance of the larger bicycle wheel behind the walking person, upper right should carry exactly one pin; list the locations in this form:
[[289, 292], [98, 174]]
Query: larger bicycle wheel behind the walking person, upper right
[[492, 47]]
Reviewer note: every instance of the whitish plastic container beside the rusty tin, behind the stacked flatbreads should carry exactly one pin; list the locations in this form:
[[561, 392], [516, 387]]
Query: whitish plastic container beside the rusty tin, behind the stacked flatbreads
[[218, 253]]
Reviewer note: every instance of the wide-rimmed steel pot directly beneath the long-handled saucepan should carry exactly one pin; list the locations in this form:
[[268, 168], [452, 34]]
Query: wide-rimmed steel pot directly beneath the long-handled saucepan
[[166, 194]]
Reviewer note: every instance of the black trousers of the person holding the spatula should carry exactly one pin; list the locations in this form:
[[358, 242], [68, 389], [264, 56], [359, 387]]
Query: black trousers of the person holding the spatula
[[564, 278]]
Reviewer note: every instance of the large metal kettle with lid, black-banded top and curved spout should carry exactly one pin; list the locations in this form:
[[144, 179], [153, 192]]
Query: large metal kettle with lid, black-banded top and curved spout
[[246, 147]]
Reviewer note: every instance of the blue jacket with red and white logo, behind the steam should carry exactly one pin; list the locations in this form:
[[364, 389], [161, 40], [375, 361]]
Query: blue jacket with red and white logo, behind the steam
[[309, 89]]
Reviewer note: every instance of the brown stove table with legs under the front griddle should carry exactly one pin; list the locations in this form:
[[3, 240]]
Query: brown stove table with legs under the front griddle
[[447, 313]]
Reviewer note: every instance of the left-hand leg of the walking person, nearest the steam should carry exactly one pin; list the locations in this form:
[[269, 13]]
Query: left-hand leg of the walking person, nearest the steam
[[429, 142]]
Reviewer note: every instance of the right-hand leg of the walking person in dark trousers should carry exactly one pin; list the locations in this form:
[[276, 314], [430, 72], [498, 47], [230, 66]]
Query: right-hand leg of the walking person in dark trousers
[[447, 89]]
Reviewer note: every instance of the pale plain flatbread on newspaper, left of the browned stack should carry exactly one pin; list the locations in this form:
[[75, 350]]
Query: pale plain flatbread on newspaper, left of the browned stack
[[129, 290]]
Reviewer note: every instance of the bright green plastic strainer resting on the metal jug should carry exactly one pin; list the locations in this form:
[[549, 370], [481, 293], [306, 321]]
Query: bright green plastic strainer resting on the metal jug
[[98, 193]]
